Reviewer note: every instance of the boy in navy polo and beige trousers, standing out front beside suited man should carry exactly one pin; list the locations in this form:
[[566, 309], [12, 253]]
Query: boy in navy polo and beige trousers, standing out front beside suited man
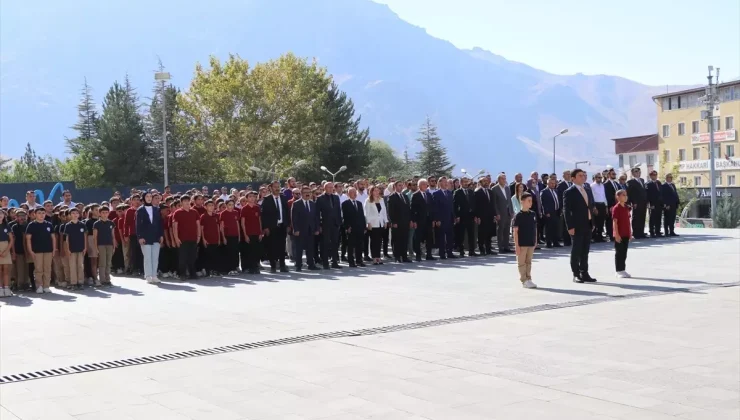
[[525, 240]]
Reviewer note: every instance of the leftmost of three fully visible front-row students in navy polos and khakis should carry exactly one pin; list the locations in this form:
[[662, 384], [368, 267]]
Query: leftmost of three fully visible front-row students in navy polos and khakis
[[41, 248]]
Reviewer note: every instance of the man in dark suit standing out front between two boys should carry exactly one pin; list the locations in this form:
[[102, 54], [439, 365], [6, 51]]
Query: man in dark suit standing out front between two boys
[[578, 206]]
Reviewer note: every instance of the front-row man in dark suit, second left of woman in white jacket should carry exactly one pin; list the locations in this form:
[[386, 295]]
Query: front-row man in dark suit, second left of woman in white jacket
[[330, 215]]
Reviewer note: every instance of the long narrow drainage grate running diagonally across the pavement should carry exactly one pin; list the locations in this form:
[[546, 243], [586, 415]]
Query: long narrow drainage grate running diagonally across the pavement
[[93, 367]]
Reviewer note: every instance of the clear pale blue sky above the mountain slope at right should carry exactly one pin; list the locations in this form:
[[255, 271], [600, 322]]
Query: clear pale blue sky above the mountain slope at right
[[656, 42]]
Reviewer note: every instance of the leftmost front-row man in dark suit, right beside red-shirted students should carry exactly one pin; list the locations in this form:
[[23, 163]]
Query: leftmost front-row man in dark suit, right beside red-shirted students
[[275, 220]]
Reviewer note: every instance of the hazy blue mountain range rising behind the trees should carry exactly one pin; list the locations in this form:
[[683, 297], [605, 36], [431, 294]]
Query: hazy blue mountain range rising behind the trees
[[492, 113]]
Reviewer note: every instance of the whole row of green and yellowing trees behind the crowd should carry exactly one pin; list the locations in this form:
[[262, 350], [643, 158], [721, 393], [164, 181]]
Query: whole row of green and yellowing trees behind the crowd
[[232, 117]]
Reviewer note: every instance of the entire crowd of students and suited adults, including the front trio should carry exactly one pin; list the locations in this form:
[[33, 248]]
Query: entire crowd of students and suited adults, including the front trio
[[160, 235]]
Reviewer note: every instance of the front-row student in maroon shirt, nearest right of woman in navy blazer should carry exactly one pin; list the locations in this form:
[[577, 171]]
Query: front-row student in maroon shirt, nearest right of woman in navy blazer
[[186, 230]]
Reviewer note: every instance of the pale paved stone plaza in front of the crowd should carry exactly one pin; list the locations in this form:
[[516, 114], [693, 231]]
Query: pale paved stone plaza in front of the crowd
[[662, 345]]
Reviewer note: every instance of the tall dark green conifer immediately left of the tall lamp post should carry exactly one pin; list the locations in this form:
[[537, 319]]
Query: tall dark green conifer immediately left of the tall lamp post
[[121, 132]]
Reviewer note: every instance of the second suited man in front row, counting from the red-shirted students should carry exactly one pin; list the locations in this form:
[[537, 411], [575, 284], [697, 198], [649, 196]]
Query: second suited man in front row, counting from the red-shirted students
[[305, 228]]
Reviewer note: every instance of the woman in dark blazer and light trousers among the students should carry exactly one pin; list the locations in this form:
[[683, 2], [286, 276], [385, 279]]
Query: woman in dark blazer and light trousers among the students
[[150, 232]]
